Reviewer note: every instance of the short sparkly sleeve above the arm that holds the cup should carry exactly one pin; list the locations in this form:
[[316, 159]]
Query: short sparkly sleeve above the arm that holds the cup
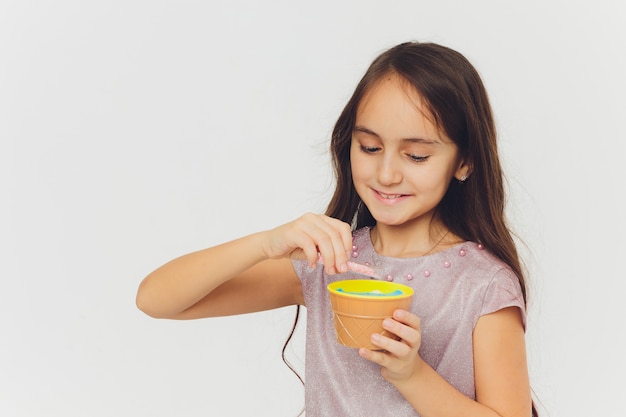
[[503, 291]]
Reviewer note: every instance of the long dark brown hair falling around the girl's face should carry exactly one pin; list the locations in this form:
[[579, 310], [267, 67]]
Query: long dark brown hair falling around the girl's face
[[456, 97]]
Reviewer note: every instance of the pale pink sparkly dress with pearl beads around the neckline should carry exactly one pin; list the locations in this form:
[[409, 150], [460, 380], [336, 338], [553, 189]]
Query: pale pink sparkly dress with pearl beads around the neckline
[[453, 288]]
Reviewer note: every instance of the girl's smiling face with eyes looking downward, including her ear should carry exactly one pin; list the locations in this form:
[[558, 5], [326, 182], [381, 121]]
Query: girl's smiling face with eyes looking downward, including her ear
[[401, 162]]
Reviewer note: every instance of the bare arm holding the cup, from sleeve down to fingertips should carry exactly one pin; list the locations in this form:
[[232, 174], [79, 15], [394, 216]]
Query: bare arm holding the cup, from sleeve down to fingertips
[[501, 375]]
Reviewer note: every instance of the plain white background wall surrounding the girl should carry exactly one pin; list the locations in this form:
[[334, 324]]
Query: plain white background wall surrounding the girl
[[135, 131]]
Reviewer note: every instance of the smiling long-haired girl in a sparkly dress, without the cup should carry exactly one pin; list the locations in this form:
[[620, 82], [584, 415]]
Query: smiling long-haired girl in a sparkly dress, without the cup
[[419, 195]]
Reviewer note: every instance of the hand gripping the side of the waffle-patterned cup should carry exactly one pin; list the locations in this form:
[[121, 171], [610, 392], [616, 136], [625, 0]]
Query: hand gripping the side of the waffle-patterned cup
[[399, 358]]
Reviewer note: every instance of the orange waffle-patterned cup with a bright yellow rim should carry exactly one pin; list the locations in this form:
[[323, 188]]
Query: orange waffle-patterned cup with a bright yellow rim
[[360, 306]]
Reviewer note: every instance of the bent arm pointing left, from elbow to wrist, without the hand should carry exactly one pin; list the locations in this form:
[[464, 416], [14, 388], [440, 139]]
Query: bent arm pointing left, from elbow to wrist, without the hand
[[232, 278]]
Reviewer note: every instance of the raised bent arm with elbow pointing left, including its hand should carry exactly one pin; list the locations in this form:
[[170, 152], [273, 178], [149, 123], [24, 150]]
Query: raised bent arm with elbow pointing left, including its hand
[[249, 274]]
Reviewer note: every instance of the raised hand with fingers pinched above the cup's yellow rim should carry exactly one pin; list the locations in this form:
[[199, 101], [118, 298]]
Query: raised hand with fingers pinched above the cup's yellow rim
[[310, 237]]
